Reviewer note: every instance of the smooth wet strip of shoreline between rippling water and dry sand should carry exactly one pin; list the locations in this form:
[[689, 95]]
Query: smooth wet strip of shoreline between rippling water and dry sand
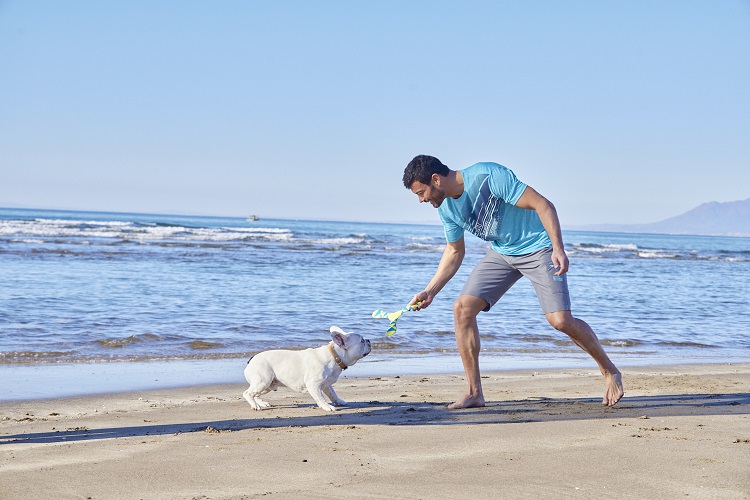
[[32, 381]]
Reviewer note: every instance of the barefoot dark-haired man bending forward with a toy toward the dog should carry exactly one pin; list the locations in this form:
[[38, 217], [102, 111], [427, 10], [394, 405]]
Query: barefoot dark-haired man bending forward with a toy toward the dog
[[526, 240]]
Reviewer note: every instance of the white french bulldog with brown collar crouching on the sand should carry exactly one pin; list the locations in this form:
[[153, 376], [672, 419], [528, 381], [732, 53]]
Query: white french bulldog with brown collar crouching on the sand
[[314, 369]]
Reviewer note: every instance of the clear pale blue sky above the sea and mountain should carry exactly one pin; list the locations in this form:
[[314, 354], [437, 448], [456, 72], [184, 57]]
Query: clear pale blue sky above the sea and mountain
[[619, 112]]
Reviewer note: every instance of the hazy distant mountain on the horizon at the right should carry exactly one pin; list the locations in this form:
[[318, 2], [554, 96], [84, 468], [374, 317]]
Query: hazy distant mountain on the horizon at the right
[[730, 218]]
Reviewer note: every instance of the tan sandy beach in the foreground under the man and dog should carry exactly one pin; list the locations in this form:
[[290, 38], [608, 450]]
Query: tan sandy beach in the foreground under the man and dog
[[680, 432]]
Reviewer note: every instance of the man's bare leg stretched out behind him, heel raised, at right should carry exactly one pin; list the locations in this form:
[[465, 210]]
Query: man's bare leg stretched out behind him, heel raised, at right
[[581, 333]]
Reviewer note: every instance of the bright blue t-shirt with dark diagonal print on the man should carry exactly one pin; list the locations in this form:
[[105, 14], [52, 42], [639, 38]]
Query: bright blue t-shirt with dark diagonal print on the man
[[487, 208]]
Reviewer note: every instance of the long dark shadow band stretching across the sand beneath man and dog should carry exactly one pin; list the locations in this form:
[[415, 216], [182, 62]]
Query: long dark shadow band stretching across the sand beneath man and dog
[[405, 413]]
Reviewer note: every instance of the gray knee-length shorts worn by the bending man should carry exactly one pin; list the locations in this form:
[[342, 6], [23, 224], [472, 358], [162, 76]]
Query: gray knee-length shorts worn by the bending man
[[496, 273]]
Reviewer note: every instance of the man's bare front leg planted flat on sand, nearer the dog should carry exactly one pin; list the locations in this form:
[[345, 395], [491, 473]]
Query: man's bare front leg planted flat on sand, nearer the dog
[[465, 311]]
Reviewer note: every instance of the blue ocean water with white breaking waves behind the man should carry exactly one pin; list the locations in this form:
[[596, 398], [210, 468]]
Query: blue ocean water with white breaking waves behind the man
[[83, 287]]
